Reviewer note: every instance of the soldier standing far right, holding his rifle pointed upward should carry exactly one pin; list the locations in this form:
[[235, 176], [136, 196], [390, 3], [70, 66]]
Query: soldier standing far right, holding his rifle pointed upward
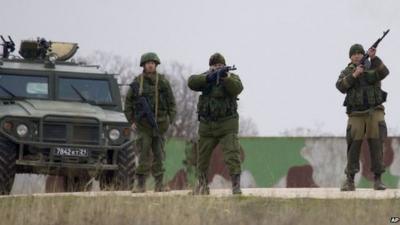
[[364, 98]]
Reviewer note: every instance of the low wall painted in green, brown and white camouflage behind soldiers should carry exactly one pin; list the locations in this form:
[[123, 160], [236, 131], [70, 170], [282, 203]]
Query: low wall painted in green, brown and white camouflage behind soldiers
[[283, 162]]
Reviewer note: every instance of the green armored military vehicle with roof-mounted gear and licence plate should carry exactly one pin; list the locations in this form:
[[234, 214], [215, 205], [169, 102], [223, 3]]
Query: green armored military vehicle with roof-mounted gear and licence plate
[[58, 117]]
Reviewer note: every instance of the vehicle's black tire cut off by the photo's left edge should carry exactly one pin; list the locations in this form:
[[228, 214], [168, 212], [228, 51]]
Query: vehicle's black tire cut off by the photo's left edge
[[8, 157]]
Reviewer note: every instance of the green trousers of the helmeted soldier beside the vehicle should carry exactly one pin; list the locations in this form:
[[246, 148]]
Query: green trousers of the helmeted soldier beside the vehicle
[[151, 153]]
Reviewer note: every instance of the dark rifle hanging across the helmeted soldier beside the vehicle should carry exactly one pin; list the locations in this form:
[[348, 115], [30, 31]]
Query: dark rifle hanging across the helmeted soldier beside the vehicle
[[143, 108]]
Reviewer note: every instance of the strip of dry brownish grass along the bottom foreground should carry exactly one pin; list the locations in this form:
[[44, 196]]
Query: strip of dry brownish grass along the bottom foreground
[[174, 210]]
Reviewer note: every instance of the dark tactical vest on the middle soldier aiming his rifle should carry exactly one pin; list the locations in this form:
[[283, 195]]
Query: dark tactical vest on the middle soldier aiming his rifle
[[216, 104]]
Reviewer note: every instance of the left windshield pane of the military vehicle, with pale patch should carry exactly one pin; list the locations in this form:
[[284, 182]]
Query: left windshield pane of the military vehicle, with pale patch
[[12, 86]]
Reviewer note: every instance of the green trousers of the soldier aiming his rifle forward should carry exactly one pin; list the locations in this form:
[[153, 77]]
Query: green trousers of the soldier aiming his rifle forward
[[224, 133]]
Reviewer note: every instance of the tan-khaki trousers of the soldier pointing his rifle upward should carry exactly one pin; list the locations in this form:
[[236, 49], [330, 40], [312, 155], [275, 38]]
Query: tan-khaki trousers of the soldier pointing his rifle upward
[[372, 126]]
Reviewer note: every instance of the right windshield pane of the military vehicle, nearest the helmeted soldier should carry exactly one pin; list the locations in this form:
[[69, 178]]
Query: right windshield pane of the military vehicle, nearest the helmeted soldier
[[84, 90]]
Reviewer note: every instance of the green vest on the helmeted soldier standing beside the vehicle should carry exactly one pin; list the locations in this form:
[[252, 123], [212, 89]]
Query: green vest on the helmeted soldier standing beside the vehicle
[[148, 88]]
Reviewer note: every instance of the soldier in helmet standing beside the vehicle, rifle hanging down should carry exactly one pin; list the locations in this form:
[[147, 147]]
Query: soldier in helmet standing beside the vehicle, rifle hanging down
[[150, 142]]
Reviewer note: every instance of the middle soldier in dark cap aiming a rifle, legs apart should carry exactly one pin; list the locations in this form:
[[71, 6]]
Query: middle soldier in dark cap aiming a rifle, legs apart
[[219, 121]]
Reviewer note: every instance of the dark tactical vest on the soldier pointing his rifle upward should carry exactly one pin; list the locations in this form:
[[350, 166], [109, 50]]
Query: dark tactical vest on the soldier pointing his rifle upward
[[365, 94]]
